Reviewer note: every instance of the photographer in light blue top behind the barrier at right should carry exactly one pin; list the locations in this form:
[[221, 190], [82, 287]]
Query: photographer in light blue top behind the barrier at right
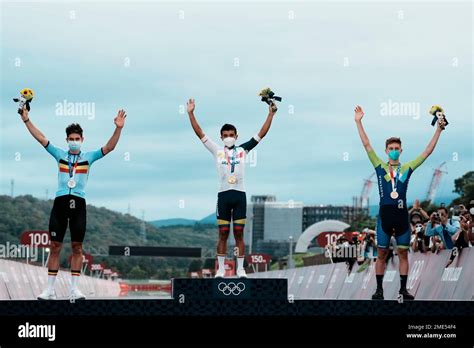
[[441, 230]]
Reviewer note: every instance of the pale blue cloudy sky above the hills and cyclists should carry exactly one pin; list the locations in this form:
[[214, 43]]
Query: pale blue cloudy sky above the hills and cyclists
[[323, 58]]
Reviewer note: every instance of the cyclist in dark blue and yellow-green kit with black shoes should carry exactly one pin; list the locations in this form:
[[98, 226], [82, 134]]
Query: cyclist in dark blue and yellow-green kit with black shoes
[[392, 179]]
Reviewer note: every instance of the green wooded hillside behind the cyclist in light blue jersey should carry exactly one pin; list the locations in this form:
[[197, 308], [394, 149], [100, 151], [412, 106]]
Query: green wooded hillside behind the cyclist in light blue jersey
[[104, 228]]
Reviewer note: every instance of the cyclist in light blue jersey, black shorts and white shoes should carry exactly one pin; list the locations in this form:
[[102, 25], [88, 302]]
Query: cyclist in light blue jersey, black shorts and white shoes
[[70, 205]]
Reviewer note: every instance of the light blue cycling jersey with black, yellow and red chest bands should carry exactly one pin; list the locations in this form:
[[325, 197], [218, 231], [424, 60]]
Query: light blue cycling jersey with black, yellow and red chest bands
[[66, 162]]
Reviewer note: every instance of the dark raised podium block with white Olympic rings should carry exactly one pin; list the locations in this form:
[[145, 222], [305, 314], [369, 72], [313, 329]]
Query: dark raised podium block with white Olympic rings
[[230, 289]]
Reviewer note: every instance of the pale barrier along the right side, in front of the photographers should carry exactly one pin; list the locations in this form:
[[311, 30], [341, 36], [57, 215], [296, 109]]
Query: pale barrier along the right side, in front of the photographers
[[428, 279]]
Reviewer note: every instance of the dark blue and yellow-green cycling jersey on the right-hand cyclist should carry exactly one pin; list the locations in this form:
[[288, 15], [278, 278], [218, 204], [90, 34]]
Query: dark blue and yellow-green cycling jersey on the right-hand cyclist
[[384, 179]]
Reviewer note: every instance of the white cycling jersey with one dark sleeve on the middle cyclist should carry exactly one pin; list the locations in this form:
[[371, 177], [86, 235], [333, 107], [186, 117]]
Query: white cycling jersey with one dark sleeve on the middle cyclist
[[230, 163]]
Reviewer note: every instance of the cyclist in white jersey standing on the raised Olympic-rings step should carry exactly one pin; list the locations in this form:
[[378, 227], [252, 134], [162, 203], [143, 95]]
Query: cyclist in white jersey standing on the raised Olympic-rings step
[[231, 198]]
